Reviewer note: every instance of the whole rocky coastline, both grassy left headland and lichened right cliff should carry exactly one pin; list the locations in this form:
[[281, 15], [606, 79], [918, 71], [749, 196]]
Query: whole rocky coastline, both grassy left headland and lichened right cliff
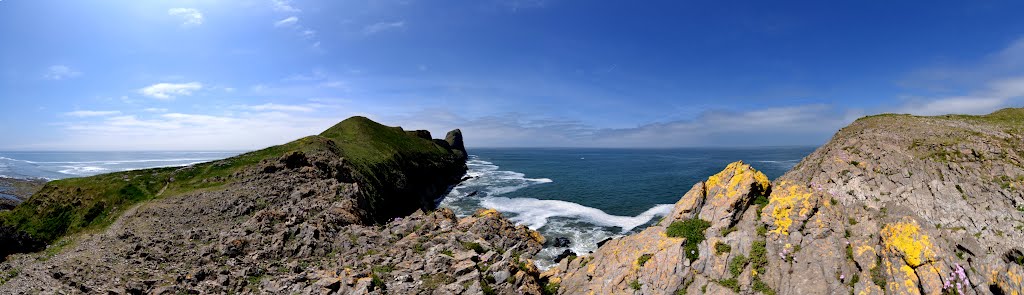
[[893, 204]]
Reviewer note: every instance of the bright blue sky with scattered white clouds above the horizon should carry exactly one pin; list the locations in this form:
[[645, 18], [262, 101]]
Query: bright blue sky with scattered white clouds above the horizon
[[244, 75]]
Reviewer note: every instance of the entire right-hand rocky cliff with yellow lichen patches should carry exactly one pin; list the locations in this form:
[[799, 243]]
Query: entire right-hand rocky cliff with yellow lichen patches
[[893, 204]]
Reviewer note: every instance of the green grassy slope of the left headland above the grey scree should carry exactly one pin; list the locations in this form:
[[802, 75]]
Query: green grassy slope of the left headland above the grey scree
[[381, 158]]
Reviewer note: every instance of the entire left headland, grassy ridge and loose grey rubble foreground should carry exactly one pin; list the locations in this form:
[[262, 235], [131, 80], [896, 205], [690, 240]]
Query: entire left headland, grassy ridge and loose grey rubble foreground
[[348, 212]]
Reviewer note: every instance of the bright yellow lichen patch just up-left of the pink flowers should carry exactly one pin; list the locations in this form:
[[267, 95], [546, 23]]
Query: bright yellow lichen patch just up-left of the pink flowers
[[907, 239]]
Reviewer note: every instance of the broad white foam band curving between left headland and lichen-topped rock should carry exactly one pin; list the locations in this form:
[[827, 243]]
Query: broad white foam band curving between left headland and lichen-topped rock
[[536, 214]]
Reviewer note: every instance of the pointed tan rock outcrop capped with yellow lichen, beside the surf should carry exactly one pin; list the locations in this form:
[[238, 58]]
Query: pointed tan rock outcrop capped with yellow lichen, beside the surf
[[655, 263]]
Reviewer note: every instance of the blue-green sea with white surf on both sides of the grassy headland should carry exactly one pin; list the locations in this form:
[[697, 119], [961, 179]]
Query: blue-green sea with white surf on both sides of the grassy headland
[[586, 195]]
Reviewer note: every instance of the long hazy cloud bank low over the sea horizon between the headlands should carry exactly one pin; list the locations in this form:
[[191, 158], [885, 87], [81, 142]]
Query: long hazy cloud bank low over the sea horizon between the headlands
[[792, 125]]
